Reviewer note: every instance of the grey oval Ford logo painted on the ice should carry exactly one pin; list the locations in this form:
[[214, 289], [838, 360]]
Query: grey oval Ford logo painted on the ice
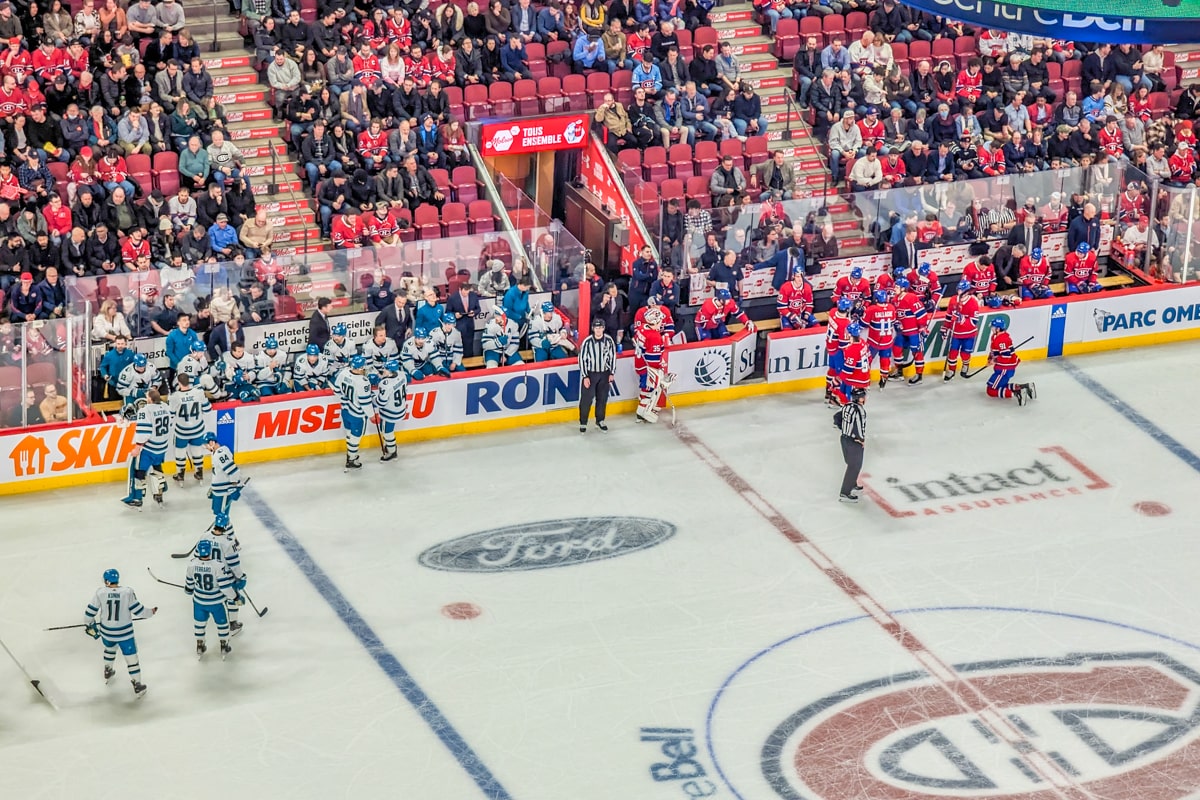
[[544, 545]]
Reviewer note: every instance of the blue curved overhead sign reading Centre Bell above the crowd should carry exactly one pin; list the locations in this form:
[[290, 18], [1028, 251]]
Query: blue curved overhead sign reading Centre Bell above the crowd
[[1117, 22]]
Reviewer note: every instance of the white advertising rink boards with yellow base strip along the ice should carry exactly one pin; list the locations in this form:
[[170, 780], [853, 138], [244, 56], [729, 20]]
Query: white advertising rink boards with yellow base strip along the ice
[[542, 394]]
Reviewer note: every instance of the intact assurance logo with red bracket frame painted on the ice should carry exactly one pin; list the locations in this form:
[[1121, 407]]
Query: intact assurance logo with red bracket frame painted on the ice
[[1051, 474]]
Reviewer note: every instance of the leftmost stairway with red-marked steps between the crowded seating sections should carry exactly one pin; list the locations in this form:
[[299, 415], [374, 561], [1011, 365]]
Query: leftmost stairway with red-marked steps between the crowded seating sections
[[277, 183]]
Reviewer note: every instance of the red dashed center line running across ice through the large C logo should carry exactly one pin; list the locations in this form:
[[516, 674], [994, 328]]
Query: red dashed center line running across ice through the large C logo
[[969, 697]]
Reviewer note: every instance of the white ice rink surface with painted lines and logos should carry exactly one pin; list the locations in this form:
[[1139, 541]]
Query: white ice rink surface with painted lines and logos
[[1011, 612]]
